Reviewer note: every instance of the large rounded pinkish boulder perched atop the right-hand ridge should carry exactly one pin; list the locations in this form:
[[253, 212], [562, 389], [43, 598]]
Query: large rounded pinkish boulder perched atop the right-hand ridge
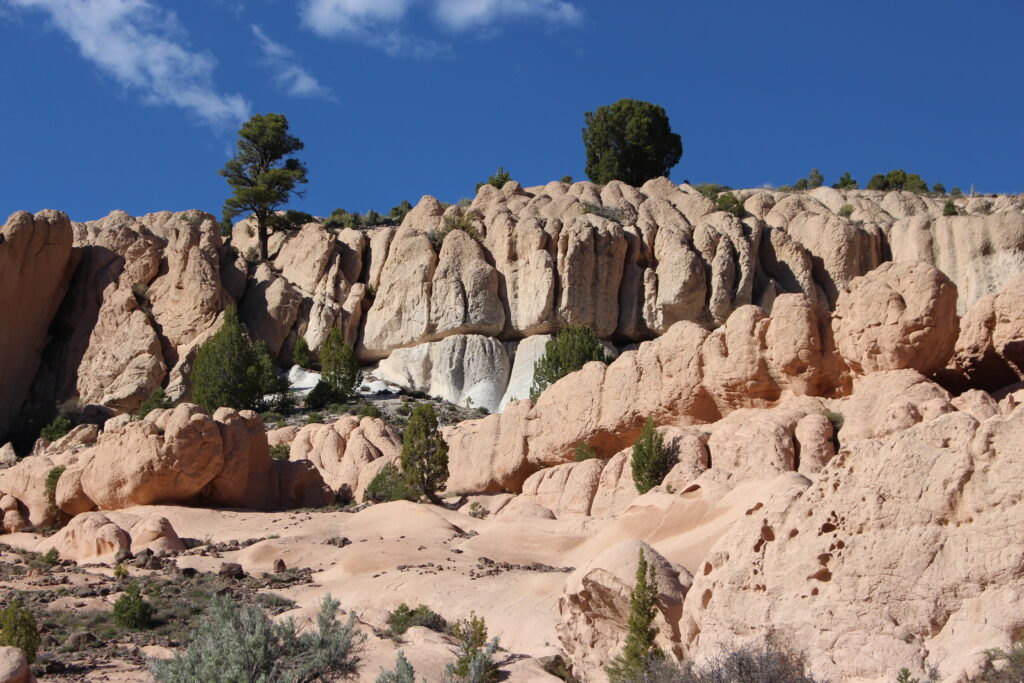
[[898, 317]]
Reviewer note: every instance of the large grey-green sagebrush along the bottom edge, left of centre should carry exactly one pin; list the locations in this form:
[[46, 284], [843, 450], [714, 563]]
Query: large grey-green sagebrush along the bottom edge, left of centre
[[241, 645]]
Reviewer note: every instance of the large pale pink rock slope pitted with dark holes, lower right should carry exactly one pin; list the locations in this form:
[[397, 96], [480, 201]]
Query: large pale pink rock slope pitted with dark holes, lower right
[[897, 546]]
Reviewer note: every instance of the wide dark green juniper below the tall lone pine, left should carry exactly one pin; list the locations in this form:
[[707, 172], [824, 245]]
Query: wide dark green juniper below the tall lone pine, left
[[232, 370]]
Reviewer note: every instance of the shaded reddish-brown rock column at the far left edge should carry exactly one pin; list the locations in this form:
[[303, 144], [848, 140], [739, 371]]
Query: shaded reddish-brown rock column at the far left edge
[[36, 266]]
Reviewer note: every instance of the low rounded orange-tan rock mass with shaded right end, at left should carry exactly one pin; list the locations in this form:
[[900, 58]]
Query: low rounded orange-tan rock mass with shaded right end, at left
[[179, 456]]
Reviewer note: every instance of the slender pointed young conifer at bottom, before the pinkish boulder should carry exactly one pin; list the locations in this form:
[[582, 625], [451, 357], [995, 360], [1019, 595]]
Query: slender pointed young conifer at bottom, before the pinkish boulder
[[641, 650]]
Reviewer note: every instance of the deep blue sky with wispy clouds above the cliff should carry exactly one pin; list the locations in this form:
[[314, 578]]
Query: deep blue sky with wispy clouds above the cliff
[[135, 104]]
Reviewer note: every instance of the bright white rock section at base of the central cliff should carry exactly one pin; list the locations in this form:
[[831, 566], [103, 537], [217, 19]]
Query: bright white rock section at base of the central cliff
[[467, 370]]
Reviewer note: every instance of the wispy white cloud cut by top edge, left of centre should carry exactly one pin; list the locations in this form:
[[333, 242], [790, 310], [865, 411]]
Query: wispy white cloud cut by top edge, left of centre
[[378, 23]]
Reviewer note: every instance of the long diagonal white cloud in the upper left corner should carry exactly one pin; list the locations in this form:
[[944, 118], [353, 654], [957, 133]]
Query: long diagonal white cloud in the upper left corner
[[143, 48]]
